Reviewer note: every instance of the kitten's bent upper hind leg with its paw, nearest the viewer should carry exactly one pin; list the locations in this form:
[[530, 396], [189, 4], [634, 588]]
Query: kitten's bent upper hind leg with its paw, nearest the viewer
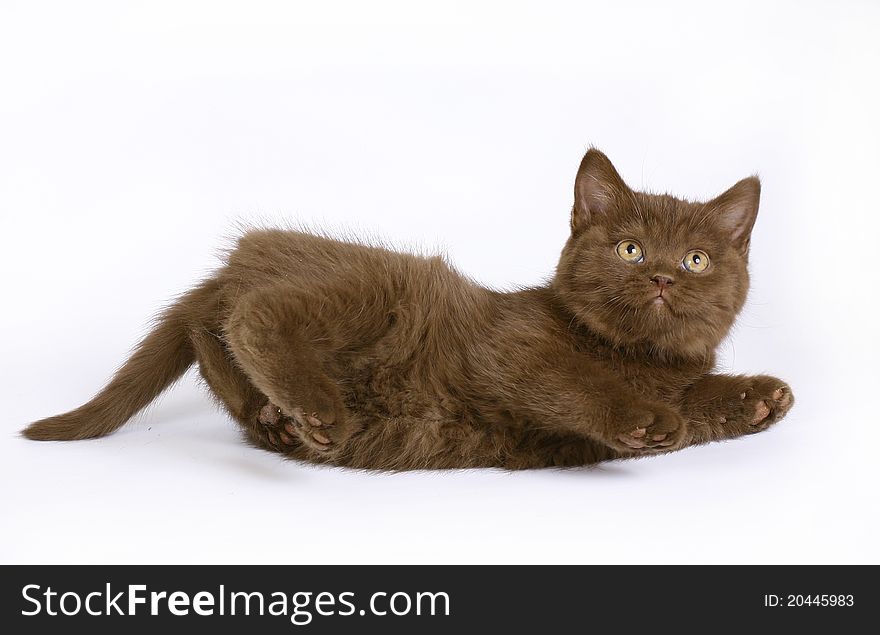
[[288, 344]]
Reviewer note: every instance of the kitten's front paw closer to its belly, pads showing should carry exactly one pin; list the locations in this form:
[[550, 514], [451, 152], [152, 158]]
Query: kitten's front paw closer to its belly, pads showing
[[646, 429]]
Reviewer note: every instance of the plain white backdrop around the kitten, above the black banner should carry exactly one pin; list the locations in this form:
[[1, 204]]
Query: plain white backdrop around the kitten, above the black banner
[[133, 136]]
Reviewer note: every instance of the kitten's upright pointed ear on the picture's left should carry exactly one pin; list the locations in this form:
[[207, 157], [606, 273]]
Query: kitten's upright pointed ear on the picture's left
[[596, 187]]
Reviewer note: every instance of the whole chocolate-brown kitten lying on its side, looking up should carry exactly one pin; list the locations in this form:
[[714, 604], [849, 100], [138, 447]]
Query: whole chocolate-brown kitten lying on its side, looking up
[[351, 355]]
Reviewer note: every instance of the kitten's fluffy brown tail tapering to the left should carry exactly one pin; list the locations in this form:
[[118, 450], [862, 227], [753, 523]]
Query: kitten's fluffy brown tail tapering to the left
[[157, 362]]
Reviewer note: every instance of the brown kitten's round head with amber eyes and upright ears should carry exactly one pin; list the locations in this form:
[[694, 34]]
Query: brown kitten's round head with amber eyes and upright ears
[[655, 271]]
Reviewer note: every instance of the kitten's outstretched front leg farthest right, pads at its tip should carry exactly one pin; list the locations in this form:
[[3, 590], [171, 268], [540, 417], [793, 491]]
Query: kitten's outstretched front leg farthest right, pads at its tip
[[728, 406]]
